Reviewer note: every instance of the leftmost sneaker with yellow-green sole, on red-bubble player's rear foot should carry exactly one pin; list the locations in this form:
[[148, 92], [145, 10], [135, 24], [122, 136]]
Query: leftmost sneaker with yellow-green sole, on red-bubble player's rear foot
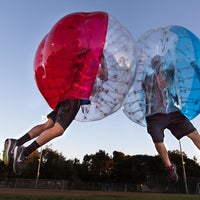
[[8, 151]]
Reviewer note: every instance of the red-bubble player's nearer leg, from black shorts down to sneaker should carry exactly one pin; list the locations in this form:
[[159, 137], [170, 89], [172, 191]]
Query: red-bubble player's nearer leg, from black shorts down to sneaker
[[66, 113]]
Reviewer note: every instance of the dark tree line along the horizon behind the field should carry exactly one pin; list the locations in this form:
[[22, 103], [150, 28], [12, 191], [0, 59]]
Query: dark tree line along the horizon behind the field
[[101, 167]]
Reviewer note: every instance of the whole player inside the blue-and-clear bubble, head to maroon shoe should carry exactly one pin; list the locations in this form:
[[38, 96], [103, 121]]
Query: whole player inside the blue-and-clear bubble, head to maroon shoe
[[161, 113]]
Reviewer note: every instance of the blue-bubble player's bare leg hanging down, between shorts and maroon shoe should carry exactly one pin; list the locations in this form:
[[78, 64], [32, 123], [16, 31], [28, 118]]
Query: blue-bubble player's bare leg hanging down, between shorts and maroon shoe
[[160, 147]]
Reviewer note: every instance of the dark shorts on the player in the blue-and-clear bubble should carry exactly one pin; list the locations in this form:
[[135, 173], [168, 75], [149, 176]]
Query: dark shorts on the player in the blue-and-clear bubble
[[176, 122]]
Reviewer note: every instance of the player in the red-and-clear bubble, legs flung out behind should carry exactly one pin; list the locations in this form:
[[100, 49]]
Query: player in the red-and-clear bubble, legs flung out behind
[[57, 122]]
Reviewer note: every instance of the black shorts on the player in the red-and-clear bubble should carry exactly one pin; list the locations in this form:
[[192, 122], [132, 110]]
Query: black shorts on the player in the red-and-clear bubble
[[65, 112]]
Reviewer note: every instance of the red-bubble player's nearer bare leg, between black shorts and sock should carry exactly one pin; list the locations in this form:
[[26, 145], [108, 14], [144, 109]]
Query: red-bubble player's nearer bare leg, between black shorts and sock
[[49, 134]]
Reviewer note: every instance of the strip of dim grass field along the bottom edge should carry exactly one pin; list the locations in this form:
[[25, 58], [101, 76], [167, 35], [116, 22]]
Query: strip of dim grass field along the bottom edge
[[31, 194]]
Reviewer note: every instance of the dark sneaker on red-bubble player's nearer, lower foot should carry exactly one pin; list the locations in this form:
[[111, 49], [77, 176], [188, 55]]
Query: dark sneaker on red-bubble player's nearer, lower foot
[[18, 159]]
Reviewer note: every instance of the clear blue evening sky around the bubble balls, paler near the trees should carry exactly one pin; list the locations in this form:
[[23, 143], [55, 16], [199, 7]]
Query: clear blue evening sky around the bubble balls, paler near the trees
[[24, 23]]
